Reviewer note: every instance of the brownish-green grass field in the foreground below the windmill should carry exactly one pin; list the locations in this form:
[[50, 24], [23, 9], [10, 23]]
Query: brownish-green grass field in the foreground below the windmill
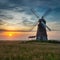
[[30, 50]]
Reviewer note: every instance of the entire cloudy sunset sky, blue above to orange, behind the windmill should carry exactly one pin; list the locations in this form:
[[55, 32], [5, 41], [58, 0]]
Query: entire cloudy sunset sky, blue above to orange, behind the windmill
[[17, 15]]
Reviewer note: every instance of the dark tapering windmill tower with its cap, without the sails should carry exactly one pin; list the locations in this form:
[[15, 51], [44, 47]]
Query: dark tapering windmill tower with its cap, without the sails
[[41, 30]]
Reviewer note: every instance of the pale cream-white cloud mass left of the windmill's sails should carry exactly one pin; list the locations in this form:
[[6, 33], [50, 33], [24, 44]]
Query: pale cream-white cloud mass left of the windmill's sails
[[17, 17]]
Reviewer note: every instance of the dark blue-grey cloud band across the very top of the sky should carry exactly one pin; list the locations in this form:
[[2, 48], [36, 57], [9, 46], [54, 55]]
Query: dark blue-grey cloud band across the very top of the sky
[[30, 3]]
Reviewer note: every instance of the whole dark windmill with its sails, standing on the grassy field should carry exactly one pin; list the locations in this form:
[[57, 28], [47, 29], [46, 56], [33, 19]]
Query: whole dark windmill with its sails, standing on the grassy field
[[41, 30]]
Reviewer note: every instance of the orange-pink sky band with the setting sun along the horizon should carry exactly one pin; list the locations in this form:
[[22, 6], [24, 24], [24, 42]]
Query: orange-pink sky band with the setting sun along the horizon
[[24, 35]]
